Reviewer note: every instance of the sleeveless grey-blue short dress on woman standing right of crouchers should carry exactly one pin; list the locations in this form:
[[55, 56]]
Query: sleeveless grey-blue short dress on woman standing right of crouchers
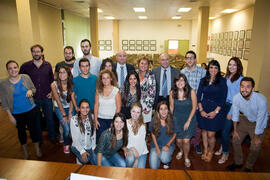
[[182, 109]]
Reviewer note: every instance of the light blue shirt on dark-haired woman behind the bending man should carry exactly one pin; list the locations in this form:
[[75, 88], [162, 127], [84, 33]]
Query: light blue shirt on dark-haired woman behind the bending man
[[233, 89]]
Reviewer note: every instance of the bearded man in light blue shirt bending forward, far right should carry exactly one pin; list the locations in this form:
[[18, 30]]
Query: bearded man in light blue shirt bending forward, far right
[[253, 122]]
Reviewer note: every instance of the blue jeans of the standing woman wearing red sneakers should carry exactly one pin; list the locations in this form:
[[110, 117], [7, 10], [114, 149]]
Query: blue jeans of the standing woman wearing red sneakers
[[65, 125]]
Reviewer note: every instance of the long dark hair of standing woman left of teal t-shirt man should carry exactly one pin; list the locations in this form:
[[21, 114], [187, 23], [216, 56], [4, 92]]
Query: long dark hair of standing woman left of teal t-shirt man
[[69, 83]]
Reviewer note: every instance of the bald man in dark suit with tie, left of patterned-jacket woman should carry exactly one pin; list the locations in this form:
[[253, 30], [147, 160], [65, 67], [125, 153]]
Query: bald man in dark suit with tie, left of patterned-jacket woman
[[121, 67]]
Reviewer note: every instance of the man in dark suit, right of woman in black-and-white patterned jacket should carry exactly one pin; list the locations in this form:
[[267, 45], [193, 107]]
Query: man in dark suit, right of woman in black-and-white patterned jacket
[[164, 75]]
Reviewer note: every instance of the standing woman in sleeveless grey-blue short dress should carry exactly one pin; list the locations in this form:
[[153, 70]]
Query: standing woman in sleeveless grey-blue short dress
[[183, 105]]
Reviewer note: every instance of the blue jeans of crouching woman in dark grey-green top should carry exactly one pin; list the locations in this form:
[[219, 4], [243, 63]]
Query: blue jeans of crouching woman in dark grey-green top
[[115, 160]]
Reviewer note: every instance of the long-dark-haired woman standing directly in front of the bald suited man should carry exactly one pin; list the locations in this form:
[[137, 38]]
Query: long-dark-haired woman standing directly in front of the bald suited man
[[130, 92]]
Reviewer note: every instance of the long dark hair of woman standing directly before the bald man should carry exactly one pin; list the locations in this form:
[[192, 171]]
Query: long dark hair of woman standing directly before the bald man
[[127, 87]]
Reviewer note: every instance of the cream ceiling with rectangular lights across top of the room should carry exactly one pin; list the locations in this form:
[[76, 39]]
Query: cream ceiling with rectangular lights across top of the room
[[155, 9]]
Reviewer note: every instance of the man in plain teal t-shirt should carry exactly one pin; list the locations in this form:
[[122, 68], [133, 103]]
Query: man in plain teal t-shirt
[[84, 85]]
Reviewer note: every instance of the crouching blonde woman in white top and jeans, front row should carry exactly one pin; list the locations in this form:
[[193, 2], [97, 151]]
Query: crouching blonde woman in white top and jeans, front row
[[136, 151]]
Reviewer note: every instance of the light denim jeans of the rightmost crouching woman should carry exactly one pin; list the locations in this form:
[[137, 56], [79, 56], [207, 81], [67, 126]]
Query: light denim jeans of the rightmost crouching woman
[[165, 157]]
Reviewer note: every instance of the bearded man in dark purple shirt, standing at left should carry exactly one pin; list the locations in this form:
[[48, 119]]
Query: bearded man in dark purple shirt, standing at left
[[40, 71]]
